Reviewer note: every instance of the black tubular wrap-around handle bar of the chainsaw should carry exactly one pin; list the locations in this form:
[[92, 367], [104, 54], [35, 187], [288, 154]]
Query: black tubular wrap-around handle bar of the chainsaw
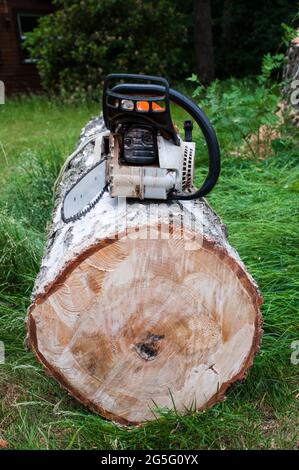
[[197, 114]]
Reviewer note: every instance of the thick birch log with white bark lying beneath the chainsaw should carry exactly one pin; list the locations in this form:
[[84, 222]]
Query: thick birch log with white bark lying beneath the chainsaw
[[140, 305]]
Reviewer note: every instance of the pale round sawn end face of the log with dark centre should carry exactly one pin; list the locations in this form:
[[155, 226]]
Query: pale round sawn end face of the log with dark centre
[[132, 324]]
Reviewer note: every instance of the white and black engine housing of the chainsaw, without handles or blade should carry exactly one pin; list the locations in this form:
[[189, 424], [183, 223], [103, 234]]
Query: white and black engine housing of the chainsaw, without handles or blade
[[145, 165]]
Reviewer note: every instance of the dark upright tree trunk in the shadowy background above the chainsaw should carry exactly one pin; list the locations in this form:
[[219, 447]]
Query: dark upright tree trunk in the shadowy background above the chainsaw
[[203, 40]]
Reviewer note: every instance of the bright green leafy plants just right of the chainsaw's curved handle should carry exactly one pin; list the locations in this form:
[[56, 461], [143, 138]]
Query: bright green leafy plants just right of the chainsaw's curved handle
[[238, 110]]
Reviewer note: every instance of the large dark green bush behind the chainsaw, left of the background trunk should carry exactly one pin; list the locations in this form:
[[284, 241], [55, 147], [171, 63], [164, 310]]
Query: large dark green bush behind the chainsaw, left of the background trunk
[[84, 41]]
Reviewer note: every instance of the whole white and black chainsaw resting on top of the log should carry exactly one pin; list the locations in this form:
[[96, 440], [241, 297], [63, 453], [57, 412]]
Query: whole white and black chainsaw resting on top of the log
[[140, 153]]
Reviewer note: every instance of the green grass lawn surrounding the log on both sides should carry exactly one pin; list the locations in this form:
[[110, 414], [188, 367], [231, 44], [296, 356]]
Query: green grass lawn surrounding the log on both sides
[[257, 199]]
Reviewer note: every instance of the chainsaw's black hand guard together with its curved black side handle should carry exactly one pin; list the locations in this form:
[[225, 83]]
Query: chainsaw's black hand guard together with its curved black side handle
[[153, 93]]
